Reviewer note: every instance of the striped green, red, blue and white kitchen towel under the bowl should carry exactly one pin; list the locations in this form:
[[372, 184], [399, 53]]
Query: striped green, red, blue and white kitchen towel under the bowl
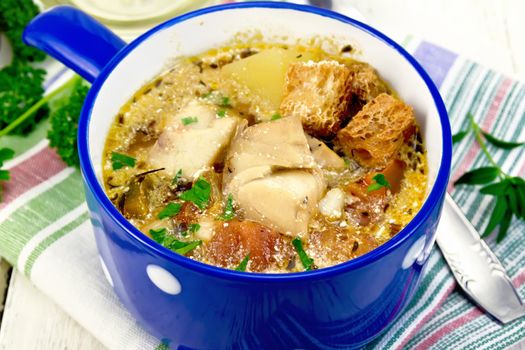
[[46, 234]]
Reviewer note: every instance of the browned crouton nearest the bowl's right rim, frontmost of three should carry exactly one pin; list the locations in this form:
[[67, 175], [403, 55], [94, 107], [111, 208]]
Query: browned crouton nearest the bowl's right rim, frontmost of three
[[375, 134]]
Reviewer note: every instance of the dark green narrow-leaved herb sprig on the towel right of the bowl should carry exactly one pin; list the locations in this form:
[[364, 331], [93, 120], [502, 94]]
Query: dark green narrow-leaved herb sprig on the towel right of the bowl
[[509, 191]]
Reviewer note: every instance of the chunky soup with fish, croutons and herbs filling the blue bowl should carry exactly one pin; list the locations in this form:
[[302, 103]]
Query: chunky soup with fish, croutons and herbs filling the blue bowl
[[267, 158]]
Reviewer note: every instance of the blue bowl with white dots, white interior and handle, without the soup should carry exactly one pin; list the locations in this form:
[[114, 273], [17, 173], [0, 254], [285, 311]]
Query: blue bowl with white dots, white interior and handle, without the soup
[[193, 305]]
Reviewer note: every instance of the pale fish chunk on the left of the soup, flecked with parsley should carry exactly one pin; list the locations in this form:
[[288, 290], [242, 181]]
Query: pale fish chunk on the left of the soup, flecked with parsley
[[193, 140]]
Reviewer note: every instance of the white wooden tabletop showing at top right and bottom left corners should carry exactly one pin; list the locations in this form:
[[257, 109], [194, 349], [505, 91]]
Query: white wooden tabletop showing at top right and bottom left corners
[[491, 32]]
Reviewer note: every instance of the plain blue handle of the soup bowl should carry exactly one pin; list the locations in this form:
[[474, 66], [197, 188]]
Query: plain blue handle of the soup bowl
[[74, 38]]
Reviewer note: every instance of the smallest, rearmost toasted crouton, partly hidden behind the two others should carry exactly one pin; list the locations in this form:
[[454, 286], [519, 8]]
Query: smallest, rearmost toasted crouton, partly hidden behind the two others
[[365, 83]]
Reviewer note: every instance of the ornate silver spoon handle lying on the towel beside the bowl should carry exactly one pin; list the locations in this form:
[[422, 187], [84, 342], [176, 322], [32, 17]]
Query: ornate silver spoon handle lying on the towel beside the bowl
[[475, 267]]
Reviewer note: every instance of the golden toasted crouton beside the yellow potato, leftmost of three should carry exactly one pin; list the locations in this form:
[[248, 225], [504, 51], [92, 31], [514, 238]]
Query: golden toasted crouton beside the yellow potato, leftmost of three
[[318, 93]]
